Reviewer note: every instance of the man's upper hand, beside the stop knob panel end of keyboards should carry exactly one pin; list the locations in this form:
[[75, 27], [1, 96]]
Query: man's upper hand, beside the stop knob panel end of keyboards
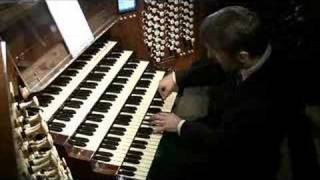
[[166, 86]]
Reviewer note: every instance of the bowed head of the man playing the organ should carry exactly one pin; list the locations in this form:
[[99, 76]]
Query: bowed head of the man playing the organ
[[235, 36]]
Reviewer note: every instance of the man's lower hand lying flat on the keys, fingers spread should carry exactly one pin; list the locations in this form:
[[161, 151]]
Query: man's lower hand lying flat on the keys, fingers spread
[[165, 122]]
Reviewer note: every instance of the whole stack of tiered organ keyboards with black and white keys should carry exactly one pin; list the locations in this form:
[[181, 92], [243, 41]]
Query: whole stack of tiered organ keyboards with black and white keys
[[98, 109]]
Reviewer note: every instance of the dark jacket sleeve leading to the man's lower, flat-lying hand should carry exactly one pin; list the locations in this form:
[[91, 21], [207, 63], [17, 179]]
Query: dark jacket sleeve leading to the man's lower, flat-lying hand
[[247, 124]]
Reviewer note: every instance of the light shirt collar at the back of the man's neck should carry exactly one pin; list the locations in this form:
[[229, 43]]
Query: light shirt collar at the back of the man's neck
[[245, 73]]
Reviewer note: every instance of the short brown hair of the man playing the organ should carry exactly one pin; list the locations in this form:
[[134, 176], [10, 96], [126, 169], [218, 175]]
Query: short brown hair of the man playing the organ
[[233, 29]]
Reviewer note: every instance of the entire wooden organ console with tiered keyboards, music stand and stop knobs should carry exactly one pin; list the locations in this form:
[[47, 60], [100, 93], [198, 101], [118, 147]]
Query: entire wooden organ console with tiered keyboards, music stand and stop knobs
[[84, 83]]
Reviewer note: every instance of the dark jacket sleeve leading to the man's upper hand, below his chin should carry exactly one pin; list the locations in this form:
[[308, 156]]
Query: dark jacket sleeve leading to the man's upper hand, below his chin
[[201, 73]]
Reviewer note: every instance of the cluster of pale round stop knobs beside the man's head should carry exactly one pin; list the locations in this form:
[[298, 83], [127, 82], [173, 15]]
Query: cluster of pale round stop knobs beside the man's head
[[168, 25]]
